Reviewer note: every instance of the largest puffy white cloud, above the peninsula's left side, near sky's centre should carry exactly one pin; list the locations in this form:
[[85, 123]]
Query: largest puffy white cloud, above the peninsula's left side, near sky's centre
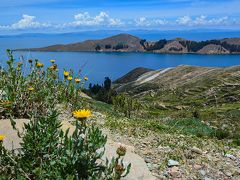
[[103, 18]]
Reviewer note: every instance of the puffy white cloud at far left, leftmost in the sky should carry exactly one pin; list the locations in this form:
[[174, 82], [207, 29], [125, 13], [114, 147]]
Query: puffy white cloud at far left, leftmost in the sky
[[27, 22]]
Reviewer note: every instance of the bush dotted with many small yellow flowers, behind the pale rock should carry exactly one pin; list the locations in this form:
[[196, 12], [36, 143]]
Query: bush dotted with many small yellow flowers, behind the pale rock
[[25, 94]]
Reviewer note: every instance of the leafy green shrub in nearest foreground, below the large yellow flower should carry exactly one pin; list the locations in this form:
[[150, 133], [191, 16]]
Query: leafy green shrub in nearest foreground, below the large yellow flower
[[49, 153]]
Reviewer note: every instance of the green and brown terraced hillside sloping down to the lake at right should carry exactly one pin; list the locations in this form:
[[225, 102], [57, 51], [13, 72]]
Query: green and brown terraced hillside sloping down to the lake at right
[[178, 92]]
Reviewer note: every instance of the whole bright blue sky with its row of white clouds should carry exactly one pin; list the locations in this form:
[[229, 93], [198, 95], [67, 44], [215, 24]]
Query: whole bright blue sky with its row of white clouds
[[51, 16]]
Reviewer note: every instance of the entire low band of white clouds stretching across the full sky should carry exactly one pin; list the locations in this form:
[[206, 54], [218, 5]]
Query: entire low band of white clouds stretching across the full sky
[[103, 19]]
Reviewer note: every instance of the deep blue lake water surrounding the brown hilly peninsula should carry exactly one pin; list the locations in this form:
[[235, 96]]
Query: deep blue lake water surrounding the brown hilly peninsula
[[114, 65]]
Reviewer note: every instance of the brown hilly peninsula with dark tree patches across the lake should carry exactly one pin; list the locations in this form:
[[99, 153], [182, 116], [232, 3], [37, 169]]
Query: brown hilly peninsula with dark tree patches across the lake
[[130, 43]]
